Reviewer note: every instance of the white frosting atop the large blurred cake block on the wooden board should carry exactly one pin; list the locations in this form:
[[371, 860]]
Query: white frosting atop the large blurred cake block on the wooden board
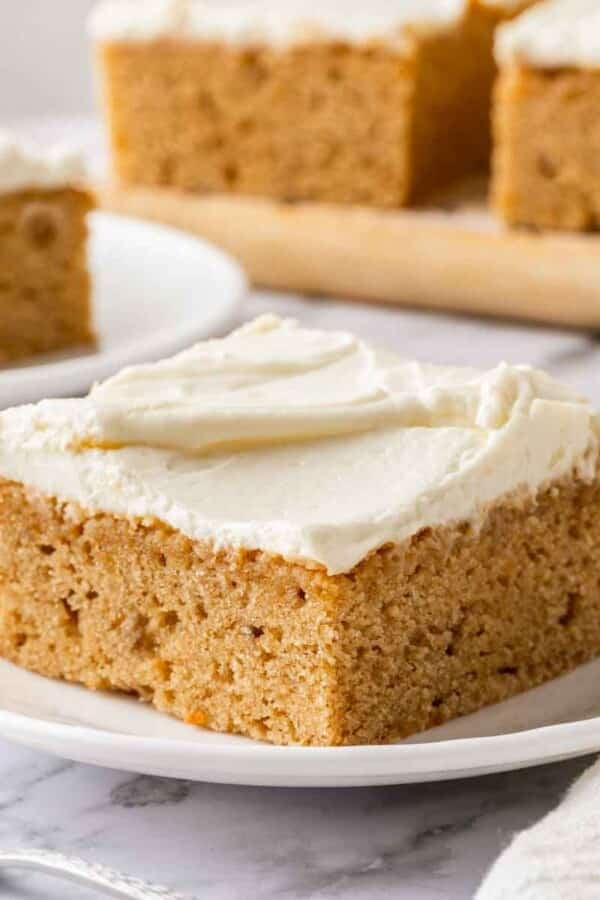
[[273, 21]]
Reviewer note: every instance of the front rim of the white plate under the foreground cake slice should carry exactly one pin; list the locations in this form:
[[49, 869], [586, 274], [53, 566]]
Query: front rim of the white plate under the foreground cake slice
[[253, 762]]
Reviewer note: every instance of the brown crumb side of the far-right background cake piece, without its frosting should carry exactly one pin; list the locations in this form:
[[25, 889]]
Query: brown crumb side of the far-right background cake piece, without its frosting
[[547, 125]]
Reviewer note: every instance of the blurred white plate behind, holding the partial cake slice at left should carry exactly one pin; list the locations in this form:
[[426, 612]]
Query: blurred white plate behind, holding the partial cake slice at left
[[156, 290]]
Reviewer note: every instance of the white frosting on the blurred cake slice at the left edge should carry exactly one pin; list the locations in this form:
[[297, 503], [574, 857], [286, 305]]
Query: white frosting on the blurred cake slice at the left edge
[[23, 166]]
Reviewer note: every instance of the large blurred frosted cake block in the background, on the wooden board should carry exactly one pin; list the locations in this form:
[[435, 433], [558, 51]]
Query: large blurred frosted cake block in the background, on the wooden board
[[373, 104]]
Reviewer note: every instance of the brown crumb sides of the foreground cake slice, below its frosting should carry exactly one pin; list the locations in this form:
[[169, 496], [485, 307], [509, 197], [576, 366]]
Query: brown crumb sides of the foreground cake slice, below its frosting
[[451, 620]]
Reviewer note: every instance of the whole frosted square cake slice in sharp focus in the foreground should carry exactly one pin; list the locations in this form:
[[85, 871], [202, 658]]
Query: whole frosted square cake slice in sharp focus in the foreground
[[294, 536]]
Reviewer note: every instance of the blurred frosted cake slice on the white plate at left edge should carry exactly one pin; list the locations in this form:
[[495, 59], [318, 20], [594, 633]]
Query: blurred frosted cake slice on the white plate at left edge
[[44, 280]]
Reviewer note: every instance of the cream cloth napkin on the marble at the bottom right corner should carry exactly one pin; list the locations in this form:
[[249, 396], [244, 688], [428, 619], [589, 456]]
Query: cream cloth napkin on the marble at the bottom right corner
[[557, 859]]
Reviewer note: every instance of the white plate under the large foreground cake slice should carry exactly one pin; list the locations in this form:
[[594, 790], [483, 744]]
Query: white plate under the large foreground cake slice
[[557, 721]]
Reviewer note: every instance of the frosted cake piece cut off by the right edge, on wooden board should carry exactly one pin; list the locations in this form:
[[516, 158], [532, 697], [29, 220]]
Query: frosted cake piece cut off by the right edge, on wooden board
[[547, 117]]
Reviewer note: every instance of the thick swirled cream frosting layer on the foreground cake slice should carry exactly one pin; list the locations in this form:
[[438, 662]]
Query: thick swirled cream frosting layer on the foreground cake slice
[[231, 442]]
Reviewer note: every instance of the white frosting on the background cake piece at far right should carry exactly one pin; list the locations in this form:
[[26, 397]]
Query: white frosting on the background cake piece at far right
[[555, 33]]
